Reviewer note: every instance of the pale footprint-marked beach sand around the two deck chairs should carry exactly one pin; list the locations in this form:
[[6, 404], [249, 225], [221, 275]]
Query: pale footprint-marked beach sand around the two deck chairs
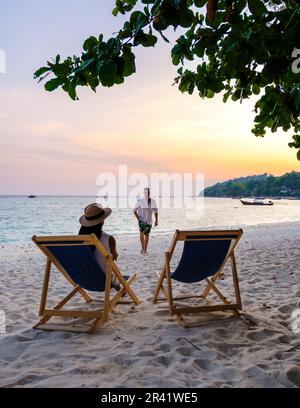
[[142, 346]]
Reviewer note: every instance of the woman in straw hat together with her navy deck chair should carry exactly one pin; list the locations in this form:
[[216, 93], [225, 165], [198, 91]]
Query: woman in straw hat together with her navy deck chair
[[88, 265]]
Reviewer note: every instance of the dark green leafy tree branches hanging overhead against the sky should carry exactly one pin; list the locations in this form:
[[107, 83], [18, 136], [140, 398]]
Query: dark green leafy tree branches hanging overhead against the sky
[[239, 48]]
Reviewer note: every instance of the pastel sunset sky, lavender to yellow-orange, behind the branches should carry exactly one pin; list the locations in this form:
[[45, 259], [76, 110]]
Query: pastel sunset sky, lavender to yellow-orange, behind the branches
[[52, 145]]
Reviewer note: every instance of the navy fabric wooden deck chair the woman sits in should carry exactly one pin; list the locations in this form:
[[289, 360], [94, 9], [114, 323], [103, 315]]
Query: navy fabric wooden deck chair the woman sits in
[[73, 257]]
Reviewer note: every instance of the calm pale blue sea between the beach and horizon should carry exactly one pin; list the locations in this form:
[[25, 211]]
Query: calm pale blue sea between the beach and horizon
[[21, 217]]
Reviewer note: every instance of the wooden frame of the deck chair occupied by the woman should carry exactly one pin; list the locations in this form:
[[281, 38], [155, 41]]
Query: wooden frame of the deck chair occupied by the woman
[[99, 316]]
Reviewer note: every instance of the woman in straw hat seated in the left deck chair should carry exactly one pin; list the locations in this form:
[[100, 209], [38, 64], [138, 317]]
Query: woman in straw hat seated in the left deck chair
[[92, 222]]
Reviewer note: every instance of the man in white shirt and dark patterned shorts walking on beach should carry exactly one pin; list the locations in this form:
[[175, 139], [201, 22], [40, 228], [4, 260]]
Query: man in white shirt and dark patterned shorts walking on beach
[[143, 211]]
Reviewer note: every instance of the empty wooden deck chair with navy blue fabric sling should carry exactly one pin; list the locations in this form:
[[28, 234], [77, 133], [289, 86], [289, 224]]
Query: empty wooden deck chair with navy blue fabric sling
[[204, 256]]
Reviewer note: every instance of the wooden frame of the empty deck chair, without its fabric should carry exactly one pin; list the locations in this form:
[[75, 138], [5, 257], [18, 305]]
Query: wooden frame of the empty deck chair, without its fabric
[[211, 282]]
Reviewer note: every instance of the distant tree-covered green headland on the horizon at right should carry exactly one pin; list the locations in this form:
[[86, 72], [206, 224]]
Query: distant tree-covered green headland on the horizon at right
[[263, 185]]
